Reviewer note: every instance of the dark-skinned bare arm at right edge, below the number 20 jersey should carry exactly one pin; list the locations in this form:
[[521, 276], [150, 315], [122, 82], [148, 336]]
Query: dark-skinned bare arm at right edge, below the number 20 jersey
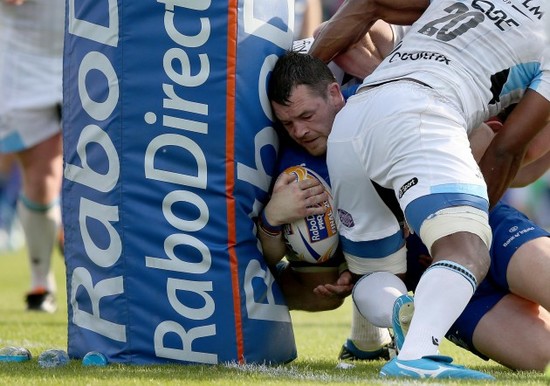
[[506, 152]]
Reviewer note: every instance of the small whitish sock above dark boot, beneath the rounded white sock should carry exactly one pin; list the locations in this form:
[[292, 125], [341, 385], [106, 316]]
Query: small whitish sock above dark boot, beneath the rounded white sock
[[365, 335]]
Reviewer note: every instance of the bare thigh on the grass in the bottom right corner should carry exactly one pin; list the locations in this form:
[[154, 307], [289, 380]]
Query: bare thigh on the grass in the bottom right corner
[[516, 333]]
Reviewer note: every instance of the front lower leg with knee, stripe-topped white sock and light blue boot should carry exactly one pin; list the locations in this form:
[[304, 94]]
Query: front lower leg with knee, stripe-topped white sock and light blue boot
[[440, 297]]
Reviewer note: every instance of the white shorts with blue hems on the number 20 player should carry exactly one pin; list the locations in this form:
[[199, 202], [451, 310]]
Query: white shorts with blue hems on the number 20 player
[[404, 137]]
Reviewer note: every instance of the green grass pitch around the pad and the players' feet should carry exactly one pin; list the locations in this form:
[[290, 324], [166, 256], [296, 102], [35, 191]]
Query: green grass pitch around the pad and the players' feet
[[318, 339]]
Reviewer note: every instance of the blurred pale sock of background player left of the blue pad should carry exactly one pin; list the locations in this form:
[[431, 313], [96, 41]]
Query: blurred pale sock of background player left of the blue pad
[[40, 224]]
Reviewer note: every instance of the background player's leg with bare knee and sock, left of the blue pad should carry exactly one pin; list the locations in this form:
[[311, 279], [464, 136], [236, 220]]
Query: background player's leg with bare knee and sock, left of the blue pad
[[40, 215]]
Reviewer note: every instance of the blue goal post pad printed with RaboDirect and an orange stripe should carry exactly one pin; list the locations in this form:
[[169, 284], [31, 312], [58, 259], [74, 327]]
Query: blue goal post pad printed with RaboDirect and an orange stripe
[[169, 152]]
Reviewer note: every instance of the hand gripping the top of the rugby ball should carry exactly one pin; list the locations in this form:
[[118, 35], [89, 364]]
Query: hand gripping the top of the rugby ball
[[291, 200]]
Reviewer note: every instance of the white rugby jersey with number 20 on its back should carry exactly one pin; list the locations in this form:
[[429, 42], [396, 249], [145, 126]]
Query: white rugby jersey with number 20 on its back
[[480, 54]]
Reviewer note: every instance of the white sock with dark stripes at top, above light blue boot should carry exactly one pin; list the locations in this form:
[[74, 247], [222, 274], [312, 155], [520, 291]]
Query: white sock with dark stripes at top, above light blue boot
[[442, 294]]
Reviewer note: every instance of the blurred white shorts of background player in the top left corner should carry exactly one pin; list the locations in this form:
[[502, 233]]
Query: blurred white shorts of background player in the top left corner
[[31, 69]]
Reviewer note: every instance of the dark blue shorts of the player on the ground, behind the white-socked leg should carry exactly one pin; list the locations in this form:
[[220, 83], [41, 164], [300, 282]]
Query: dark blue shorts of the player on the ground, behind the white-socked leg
[[511, 229]]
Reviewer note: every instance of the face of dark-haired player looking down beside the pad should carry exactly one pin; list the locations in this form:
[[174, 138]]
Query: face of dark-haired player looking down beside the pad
[[308, 117]]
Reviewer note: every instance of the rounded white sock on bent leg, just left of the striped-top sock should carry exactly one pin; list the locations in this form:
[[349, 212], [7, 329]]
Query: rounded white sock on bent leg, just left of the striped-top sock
[[374, 295]]
